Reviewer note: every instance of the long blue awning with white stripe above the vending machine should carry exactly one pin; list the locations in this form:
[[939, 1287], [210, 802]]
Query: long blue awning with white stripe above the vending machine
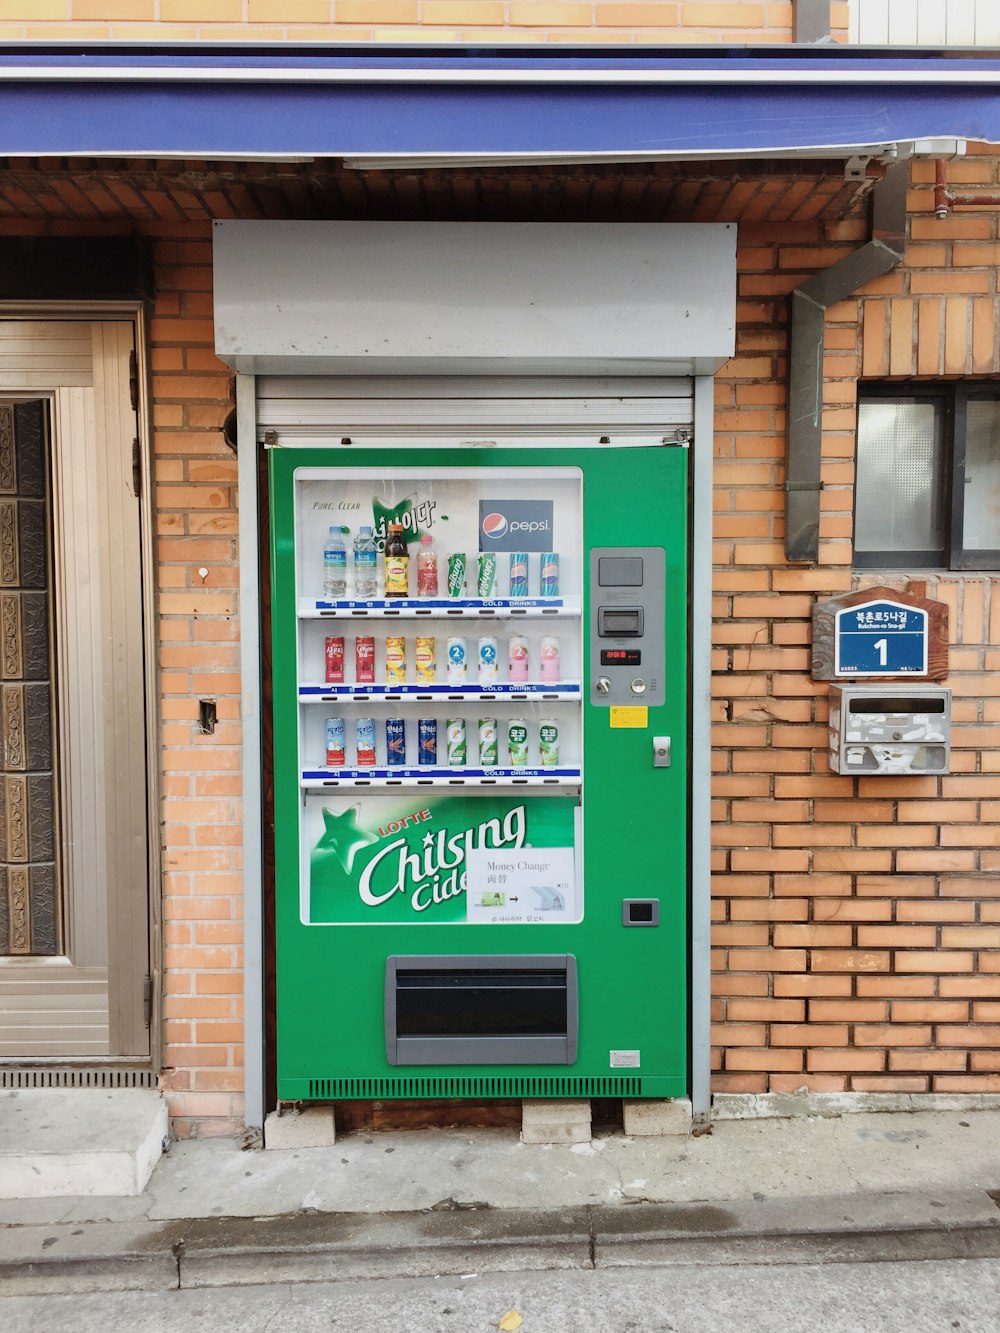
[[231, 102]]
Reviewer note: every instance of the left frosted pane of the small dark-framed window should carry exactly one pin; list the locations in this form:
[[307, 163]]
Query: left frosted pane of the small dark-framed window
[[899, 501]]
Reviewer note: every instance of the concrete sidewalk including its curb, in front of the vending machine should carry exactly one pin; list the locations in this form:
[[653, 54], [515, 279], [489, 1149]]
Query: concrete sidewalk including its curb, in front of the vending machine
[[870, 1186]]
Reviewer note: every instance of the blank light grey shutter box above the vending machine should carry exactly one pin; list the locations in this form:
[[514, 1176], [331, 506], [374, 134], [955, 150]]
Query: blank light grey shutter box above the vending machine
[[475, 298]]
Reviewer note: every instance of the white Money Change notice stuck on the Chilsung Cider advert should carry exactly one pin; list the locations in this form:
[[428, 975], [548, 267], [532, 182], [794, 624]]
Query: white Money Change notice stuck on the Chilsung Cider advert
[[530, 887]]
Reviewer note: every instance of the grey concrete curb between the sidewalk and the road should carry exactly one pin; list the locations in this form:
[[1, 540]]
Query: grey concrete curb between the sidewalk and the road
[[310, 1247]]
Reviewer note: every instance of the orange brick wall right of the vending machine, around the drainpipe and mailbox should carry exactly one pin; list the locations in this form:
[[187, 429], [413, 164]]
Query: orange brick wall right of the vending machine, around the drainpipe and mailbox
[[858, 920]]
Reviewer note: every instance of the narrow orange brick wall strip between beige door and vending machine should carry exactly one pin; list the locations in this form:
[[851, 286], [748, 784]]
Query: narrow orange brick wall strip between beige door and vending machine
[[197, 523]]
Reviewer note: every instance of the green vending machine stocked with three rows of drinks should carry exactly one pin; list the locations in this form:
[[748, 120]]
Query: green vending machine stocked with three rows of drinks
[[481, 771]]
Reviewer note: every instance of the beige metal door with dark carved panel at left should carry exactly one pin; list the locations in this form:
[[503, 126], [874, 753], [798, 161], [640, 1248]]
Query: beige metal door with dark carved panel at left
[[74, 824]]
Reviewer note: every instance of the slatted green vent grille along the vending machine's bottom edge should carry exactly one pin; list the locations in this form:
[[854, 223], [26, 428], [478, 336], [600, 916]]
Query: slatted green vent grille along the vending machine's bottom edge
[[361, 1090]]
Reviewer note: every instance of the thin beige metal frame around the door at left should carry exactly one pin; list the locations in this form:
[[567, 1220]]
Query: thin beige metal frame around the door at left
[[118, 1071]]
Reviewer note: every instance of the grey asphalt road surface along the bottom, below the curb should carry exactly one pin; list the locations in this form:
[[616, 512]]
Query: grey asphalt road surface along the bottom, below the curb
[[919, 1298]]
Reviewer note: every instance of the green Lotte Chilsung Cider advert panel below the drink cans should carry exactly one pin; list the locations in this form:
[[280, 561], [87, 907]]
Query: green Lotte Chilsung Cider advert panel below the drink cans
[[390, 858]]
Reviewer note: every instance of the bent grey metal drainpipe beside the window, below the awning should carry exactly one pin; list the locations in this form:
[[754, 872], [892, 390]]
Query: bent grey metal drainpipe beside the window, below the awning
[[881, 254]]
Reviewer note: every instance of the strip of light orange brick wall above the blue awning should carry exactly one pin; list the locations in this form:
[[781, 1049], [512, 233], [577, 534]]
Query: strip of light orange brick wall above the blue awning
[[407, 21]]
